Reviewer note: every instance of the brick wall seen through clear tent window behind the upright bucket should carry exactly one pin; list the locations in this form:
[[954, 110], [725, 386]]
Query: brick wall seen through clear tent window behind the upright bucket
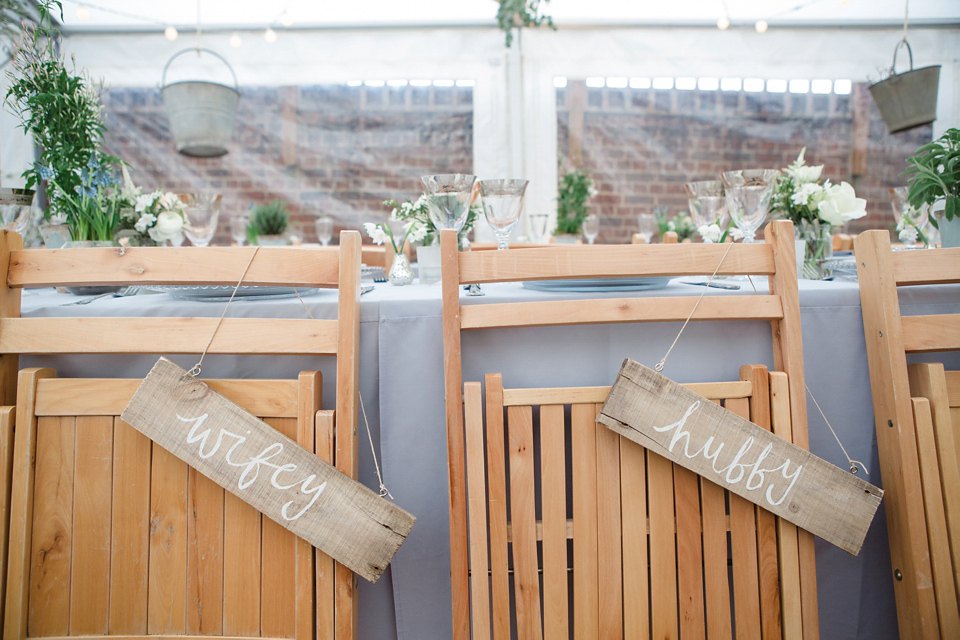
[[336, 149]]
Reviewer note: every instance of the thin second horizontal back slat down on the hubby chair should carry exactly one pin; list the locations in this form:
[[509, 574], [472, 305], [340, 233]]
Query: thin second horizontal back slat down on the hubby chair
[[616, 310]]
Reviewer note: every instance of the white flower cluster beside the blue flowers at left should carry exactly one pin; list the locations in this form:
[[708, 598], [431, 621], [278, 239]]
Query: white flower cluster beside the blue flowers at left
[[148, 220]]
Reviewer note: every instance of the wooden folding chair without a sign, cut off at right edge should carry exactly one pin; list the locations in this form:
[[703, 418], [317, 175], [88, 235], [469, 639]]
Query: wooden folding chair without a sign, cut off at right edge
[[916, 437]]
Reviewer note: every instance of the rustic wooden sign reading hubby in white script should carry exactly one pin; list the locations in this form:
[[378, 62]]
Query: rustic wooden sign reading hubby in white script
[[736, 454]]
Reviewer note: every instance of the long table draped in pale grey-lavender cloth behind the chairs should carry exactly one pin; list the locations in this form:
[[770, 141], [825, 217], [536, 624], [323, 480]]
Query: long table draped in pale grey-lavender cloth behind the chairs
[[401, 385]]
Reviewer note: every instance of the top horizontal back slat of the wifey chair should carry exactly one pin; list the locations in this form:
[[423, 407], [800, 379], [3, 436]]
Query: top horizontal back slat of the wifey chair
[[144, 266]]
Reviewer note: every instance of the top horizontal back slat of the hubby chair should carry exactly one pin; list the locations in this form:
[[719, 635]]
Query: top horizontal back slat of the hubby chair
[[610, 261]]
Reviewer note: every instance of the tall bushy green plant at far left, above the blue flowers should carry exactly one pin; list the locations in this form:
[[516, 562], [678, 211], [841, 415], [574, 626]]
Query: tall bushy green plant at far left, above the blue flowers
[[59, 107]]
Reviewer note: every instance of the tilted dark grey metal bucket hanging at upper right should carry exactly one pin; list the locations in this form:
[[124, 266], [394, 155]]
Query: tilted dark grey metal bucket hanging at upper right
[[907, 100]]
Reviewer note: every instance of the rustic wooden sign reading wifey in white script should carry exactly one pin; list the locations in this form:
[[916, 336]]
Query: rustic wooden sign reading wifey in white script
[[268, 470]]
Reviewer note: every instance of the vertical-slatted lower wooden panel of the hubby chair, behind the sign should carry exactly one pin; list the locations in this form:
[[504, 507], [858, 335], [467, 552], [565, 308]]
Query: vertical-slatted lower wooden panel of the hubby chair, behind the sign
[[640, 547]]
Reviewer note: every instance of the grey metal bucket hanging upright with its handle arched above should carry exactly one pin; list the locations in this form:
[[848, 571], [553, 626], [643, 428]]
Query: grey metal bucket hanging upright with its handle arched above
[[201, 113]]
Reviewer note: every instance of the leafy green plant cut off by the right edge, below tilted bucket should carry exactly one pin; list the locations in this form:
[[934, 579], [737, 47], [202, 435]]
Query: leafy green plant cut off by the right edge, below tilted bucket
[[934, 172]]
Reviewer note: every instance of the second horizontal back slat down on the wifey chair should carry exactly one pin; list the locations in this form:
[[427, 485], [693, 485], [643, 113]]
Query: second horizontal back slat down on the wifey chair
[[273, 336]]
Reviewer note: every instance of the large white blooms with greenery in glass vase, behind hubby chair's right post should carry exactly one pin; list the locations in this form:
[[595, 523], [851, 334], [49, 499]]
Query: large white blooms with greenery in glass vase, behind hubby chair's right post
[[815, 210]]
